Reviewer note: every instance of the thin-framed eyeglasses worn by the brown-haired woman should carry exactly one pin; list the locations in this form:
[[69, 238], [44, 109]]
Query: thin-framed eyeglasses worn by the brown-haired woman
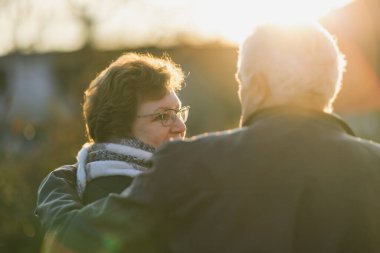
[[169, 116]]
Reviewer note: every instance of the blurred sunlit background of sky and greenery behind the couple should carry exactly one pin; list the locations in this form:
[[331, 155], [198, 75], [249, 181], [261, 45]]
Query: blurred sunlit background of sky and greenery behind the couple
[[51, 50]]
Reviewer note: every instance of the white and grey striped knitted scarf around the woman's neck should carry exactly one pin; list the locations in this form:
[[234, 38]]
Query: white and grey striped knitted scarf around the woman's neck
[[129, 157]]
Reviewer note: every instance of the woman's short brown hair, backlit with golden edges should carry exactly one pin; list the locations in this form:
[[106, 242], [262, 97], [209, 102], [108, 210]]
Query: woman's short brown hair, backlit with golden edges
[[112, 98]]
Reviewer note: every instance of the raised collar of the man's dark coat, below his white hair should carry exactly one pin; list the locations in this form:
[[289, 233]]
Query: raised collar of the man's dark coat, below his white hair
[[294, 110]]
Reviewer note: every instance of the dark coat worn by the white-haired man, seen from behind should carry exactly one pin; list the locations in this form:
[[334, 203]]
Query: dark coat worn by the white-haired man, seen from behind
[[290, 181]]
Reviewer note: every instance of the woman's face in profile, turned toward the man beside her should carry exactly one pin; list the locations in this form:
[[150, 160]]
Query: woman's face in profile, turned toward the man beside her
[[148, 126]]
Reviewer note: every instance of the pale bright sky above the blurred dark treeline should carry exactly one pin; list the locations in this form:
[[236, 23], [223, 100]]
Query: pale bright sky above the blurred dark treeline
[[66, 25]]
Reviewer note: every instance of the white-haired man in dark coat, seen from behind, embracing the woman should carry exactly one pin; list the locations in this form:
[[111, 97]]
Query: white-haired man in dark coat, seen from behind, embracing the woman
[[293, 178]]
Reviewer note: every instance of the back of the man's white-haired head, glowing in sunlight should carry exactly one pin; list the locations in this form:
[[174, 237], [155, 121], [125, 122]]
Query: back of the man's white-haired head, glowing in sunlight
[[294, 65]]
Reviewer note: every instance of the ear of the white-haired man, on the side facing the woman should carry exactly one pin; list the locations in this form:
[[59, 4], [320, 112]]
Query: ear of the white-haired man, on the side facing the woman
[[254, 94]]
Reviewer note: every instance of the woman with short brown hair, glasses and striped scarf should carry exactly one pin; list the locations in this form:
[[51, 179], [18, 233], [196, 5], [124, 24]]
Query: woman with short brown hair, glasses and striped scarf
[[130, 109]]
